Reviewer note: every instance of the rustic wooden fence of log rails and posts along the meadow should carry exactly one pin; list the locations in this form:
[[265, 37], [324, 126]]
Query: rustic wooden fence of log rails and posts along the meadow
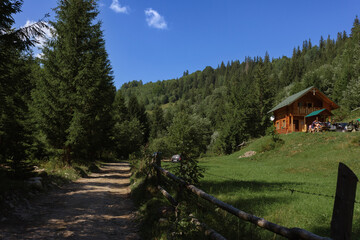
[[341, 222]]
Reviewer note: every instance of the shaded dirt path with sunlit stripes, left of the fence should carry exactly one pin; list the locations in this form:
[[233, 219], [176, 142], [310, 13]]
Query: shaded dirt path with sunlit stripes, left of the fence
[[96, 207]]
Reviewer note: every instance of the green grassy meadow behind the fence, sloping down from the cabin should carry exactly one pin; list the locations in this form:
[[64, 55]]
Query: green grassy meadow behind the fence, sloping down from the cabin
[[261, 184]]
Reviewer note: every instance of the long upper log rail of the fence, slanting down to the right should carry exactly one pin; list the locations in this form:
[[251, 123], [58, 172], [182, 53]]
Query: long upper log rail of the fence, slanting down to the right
[[290, 233]]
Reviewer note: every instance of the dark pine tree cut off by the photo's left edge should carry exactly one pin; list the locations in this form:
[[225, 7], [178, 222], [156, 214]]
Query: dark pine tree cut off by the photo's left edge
[[15, 84]]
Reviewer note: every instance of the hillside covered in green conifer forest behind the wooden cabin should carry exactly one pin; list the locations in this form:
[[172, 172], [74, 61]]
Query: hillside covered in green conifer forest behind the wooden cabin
[[235, 97]]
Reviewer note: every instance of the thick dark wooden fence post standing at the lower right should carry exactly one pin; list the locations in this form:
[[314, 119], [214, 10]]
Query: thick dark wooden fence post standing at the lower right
[[341, 222]]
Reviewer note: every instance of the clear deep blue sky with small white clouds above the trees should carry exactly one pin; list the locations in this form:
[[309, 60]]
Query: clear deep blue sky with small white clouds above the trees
[[152, 40]]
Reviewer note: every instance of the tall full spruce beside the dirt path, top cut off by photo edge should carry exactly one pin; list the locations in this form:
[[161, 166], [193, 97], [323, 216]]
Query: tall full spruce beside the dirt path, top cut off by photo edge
[[72, 101]]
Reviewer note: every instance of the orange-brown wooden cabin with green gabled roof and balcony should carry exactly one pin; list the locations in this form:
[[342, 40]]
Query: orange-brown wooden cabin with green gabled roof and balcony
[[298, 111]]
